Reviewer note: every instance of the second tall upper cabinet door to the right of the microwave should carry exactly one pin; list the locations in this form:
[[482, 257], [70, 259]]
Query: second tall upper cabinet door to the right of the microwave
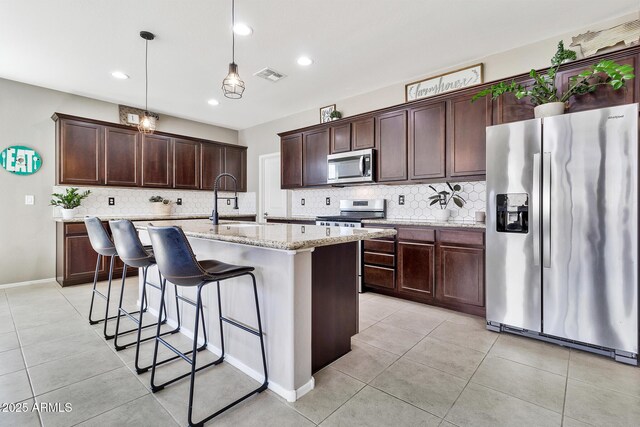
[[427, 141]]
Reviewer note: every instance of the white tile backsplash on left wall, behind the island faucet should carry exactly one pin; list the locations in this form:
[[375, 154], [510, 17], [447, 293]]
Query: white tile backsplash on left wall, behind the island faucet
[[135, 201]]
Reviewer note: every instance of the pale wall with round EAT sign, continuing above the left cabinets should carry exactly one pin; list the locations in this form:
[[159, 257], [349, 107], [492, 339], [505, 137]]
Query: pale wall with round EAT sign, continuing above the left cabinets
[[27, 233]]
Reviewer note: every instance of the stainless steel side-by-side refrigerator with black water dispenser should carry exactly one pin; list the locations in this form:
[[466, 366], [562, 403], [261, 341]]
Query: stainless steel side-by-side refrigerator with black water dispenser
[[562, 230]]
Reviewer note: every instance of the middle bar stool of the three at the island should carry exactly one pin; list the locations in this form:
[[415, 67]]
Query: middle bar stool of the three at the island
[[134, 254]]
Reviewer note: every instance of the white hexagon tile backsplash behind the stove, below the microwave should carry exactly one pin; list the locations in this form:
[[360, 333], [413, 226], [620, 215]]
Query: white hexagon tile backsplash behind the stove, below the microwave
[[416, 200]]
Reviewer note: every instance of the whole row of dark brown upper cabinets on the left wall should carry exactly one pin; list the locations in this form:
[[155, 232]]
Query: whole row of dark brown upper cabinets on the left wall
[[92, 152]]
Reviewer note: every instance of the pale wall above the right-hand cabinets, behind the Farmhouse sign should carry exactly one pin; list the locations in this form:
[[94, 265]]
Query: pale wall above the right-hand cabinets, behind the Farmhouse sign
[[263, 139]]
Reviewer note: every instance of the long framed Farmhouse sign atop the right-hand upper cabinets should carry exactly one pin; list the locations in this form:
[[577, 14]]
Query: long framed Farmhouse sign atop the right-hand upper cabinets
[[443, 83]]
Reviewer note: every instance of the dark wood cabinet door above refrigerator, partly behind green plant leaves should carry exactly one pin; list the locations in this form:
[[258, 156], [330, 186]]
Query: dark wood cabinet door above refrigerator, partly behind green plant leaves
[[605, 95]]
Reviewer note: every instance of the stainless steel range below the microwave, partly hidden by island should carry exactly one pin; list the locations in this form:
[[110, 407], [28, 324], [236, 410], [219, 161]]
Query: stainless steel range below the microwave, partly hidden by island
[[352, 213]]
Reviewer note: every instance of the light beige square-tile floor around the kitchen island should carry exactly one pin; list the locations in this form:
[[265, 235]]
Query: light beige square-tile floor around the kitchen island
[[411, 364]]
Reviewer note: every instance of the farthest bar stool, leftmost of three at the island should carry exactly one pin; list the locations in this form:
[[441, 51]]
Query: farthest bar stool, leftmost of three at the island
[[103, 245]]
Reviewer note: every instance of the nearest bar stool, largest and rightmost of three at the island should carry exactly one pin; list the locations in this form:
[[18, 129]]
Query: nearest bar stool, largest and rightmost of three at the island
[[178, 264]]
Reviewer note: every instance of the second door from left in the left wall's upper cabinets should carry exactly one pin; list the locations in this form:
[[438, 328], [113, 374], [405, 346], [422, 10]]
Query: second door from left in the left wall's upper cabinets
[[122, 157]]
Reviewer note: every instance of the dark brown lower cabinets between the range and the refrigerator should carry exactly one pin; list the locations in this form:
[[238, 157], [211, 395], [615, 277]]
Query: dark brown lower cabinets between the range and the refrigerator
[[438, 266]]
